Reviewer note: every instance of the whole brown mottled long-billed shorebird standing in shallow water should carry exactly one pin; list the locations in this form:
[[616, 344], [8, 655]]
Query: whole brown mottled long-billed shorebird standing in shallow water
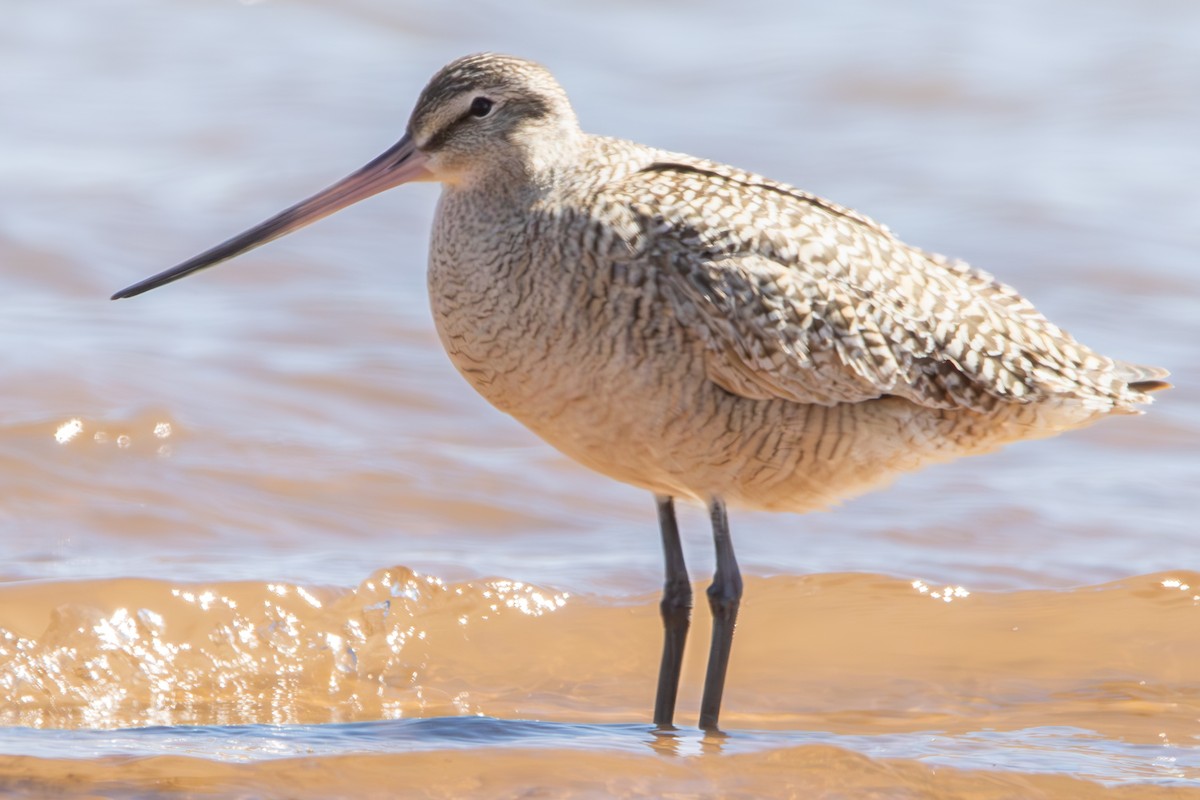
[[701, 332]]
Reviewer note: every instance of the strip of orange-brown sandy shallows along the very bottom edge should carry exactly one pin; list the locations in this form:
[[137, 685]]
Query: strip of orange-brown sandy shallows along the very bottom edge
[[814, 772]]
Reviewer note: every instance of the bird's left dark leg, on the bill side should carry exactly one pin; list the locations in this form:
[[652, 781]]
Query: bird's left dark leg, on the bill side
[[676, 610]]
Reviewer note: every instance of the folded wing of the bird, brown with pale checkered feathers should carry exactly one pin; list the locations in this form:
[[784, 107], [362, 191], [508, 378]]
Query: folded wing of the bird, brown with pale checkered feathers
[[797, 298]]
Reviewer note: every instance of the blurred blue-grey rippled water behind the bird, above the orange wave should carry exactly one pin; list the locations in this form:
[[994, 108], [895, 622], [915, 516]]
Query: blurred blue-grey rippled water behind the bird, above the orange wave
[[291, 417]]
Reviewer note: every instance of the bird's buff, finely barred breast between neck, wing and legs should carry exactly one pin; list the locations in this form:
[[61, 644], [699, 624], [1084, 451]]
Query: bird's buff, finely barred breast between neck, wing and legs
[[578, 347]]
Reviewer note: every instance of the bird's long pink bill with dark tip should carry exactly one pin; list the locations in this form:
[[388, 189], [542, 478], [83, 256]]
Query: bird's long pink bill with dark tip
[[399, 165]]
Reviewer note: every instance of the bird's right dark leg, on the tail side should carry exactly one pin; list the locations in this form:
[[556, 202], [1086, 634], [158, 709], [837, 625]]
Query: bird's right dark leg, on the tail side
[[724, 598]]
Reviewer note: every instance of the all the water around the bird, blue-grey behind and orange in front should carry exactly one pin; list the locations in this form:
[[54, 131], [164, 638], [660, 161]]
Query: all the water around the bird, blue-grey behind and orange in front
[[259, 539]]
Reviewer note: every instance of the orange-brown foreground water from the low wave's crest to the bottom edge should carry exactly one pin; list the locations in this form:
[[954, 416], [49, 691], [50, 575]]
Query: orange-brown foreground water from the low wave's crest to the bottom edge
[[1046, 690]]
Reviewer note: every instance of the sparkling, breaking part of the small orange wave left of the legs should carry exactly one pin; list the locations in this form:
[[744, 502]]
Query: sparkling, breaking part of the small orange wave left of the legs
[[128, 653]]
